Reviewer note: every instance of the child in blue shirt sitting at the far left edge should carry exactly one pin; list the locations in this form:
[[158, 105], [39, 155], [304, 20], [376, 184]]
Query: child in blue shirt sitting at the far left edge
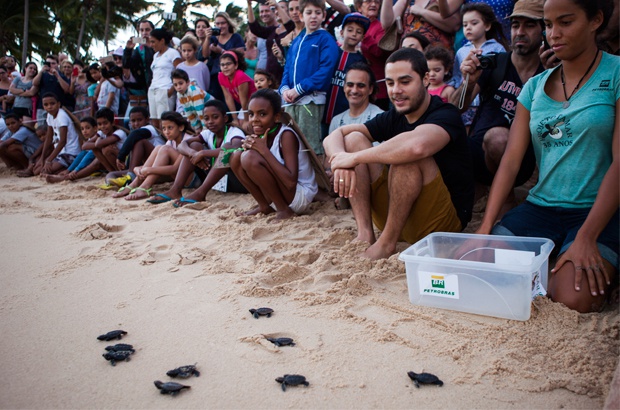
[[19, 144]]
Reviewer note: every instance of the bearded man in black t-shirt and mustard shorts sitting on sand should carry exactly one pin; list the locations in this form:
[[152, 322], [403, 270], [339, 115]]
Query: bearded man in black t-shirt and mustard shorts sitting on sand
[[419, 179]]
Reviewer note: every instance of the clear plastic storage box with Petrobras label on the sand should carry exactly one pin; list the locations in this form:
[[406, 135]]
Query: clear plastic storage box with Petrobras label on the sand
[[482, 274]]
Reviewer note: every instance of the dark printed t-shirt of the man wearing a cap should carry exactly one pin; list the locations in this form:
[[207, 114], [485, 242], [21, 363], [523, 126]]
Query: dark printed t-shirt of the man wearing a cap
[[499, 109]]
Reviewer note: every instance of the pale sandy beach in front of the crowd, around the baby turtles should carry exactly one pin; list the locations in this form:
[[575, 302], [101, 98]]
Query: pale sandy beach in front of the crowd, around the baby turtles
[[77, 263]]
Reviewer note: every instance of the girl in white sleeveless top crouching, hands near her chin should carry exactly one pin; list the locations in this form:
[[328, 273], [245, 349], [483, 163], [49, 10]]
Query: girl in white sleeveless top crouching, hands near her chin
[[275, 168]]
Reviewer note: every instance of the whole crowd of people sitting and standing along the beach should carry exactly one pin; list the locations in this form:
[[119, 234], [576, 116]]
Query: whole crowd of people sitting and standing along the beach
[[409, 108]]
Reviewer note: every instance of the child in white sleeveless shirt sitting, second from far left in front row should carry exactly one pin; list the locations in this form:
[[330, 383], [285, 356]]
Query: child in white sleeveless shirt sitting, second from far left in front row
[[61, 134]]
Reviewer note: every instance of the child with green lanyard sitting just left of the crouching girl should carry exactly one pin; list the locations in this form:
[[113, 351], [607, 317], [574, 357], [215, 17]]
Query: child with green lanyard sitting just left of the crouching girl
[[201, 159]]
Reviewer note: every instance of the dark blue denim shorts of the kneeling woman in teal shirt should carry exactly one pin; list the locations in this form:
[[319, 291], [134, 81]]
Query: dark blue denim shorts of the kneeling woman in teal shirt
[[560, 225]]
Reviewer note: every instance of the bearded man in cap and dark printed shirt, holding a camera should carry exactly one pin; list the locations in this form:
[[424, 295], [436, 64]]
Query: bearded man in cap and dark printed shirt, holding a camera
[[499, 88]]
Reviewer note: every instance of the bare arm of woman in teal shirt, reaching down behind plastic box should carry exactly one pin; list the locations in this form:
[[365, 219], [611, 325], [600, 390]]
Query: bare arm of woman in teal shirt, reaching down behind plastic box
[[518, 141]]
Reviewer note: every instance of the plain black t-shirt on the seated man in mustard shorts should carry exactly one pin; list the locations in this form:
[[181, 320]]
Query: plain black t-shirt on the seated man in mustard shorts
[[454, 160]]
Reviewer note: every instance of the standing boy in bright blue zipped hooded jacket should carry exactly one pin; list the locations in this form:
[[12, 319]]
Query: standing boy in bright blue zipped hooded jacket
[[310, 64]]
